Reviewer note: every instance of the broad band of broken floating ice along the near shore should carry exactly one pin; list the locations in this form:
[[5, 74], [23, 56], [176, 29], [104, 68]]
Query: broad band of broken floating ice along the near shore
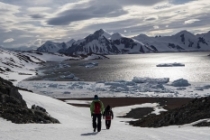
[[140, 87]]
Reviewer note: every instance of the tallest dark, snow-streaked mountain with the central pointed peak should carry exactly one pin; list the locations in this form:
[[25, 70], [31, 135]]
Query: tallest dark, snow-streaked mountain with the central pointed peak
[[101, 42]]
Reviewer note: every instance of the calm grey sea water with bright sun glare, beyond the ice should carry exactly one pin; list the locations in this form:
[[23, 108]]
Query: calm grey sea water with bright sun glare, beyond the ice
[[125, 67]]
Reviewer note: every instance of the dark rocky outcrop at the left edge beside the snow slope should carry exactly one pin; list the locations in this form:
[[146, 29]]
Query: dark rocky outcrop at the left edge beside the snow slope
[[14, 108]]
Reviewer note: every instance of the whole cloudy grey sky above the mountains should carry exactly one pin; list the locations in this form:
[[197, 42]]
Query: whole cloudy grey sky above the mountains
[[32, 22]]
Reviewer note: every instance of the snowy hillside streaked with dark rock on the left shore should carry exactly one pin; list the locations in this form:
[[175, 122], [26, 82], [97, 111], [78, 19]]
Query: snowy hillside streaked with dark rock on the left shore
[[17, 66]]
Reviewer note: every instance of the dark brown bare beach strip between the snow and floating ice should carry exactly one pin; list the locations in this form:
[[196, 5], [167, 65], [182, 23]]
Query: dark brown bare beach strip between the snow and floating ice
[[136, 113]]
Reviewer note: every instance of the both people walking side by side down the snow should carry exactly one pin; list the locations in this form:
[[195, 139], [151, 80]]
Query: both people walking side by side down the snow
[[97, 110]]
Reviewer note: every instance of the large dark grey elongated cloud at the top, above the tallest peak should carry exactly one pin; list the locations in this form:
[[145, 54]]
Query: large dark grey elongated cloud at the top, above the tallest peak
[[97, 9]]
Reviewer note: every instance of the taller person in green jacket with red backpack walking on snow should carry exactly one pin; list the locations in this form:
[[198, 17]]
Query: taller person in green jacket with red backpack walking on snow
[[96, 109]]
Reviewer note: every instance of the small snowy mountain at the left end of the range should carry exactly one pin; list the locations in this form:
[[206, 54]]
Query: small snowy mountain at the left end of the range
[[52, 47]]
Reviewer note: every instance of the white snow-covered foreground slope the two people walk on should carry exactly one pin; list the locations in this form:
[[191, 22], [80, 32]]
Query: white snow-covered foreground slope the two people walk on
[[76, 125]]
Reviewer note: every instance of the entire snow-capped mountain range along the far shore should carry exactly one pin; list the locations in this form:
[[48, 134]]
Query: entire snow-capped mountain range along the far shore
[[101, 42]]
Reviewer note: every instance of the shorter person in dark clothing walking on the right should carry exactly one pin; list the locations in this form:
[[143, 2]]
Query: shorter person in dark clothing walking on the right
[[108, 116]]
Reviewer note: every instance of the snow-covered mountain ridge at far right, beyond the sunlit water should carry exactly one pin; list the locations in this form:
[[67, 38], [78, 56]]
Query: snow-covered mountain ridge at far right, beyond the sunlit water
[[182, 41]]
